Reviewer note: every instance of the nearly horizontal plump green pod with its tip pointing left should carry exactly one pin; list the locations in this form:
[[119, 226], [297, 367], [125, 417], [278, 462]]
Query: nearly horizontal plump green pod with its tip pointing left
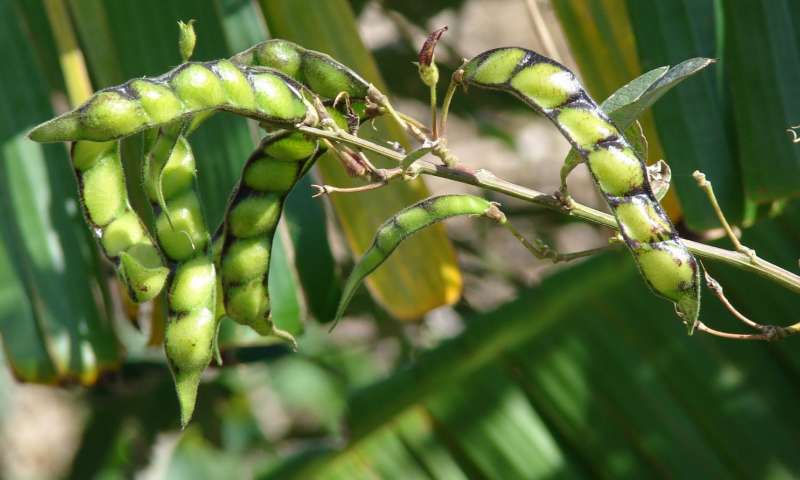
[[191, 88]]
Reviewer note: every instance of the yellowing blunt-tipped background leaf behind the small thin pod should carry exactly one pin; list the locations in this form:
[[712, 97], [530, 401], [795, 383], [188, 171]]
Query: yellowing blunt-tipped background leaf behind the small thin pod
[[423, 274]]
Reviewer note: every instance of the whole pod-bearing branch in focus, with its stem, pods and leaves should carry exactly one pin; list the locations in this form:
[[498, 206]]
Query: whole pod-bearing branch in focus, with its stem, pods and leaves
[[167, 104]]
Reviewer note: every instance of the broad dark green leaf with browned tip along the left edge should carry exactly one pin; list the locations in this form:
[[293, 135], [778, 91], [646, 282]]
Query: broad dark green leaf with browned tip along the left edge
[[50, 263]]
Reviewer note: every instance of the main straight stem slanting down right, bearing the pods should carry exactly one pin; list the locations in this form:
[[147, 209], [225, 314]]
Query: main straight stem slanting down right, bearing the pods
[[489, 181]]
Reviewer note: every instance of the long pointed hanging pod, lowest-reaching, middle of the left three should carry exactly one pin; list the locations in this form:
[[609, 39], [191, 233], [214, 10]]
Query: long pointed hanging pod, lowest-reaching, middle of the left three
[[169, 182]]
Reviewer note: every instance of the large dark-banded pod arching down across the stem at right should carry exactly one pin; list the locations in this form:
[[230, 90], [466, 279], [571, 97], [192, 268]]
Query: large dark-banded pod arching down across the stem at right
[[548, 87]]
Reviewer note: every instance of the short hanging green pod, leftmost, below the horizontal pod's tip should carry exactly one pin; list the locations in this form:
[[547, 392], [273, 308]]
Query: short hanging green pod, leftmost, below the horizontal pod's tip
[[122, 236]]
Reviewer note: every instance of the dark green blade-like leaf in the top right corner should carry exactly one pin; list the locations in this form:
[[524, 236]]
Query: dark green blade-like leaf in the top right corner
[[762, 60]]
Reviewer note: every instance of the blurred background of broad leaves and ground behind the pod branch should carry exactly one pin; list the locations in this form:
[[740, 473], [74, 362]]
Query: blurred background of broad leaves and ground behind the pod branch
[[535, 371]]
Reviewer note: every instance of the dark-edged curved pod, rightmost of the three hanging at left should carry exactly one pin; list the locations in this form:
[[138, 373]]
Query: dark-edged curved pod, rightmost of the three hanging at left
[[246, 236]]
